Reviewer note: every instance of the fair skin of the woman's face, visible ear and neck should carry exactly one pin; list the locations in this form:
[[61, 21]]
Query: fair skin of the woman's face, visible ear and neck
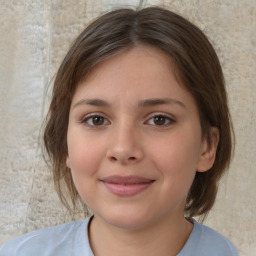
[[131, 118]]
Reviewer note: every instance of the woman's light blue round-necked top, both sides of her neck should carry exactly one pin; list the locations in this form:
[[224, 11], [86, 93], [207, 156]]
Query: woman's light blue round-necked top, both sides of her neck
[[71, 239]]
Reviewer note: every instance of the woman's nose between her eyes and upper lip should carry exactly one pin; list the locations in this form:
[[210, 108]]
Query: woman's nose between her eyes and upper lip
[[125, 145]]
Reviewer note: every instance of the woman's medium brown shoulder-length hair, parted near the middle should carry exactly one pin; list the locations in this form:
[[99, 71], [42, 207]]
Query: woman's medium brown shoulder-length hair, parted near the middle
[[198, 69]]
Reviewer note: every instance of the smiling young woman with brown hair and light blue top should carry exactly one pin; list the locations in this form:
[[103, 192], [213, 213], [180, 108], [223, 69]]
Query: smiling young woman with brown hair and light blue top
[[139, 130]]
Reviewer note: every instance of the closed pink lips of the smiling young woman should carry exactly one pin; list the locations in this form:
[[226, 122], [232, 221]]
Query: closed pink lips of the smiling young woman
[[126, 185]]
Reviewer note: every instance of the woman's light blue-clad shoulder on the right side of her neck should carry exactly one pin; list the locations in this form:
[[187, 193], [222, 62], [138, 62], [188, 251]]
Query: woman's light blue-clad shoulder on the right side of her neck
[[206, 241]]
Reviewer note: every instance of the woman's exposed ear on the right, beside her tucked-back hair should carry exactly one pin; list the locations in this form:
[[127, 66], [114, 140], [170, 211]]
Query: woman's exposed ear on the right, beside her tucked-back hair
[[208, 150]]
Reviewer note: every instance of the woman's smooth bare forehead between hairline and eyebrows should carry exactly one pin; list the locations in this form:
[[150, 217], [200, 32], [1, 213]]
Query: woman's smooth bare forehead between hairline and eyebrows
[[141, 69]]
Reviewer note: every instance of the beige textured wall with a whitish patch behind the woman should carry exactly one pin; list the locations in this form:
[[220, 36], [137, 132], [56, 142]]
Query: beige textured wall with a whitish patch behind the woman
[[34, 36]]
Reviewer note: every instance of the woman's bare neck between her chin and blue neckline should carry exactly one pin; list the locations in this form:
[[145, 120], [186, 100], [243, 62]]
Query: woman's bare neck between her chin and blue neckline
[[165, 238]]
